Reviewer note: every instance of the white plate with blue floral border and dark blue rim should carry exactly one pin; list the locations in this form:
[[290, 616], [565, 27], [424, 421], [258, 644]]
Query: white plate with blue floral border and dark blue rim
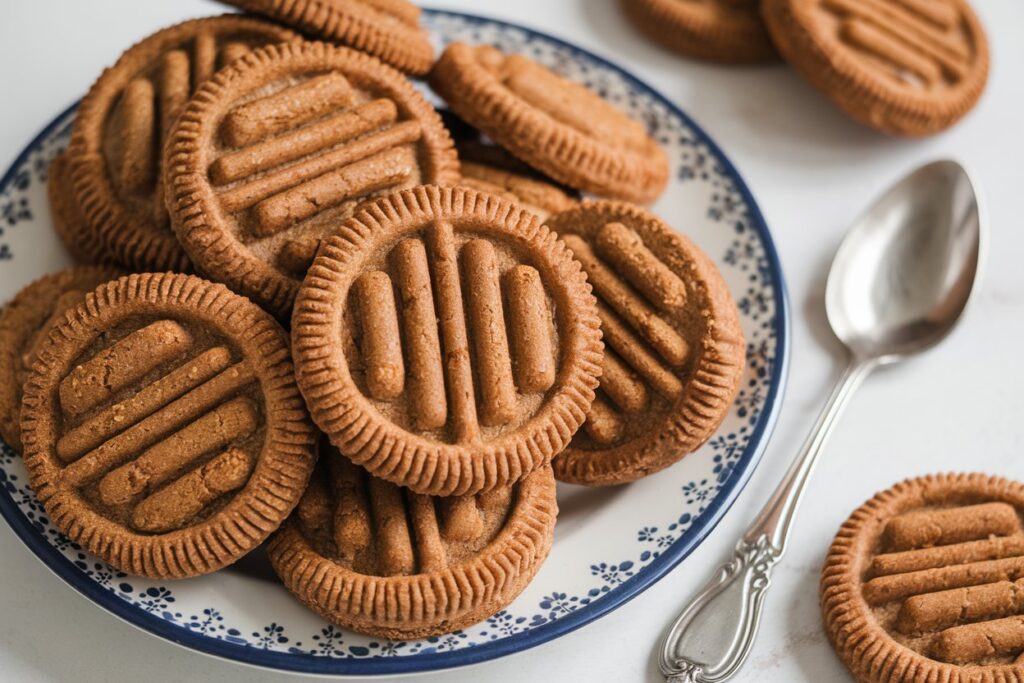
[[611, 544]]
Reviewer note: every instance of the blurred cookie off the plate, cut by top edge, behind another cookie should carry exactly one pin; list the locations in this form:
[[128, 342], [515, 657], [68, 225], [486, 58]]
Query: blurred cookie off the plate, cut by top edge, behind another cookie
[[730, 31]]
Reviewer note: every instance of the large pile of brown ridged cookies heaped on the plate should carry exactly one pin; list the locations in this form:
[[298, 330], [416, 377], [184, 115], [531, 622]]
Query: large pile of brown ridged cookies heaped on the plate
[[307, 315]]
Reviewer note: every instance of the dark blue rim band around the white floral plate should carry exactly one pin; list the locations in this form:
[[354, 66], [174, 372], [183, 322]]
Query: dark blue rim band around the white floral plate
[[648, 577]]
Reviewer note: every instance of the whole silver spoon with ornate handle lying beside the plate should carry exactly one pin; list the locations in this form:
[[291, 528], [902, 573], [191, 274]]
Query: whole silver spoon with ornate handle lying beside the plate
[[898, 286]]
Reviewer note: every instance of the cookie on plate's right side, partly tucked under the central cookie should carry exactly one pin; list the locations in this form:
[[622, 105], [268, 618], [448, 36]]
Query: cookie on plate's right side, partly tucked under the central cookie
[[674, 350]]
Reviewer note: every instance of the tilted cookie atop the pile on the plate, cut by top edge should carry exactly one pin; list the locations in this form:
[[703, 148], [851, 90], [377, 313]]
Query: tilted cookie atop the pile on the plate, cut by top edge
[[390, 30]]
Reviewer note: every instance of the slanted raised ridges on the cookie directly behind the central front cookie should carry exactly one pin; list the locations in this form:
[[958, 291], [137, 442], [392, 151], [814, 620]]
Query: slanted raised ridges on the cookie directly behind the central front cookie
[[305, 149]]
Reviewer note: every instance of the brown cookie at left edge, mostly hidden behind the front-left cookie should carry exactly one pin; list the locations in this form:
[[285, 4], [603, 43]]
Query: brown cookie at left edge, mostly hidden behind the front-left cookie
[[25, 323]]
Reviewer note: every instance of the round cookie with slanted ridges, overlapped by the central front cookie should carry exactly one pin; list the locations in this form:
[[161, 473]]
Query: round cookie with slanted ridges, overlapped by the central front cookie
[[273, 154]]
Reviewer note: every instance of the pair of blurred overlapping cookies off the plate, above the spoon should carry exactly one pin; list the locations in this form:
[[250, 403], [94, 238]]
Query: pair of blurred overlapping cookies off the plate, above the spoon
[[903, 67]]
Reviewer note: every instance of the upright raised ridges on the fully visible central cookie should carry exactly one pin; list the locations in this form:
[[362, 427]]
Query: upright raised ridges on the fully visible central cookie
[[509, 345]]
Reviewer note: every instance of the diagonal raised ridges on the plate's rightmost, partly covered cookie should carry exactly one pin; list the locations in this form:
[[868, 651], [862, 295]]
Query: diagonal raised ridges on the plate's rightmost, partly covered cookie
[[636, 292]]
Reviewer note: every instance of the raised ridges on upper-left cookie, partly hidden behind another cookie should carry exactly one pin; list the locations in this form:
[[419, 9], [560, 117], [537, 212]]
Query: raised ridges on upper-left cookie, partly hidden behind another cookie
[[151, 104]]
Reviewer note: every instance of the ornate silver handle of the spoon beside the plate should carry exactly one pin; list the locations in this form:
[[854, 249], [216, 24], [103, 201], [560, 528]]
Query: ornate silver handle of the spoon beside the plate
[[711, 639]]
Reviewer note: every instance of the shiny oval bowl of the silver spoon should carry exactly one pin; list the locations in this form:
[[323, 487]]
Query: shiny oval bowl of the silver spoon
[[906, 271]]
